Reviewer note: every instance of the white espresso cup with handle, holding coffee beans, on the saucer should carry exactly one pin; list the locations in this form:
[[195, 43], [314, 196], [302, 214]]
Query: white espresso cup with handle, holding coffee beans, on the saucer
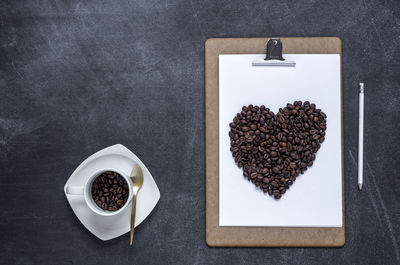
[[86, 192]]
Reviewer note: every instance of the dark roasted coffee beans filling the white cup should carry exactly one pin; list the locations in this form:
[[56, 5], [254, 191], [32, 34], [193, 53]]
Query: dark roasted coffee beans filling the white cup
[[110, 191]]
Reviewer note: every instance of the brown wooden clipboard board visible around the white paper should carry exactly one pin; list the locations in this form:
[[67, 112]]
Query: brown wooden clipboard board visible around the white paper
[[218, 236]]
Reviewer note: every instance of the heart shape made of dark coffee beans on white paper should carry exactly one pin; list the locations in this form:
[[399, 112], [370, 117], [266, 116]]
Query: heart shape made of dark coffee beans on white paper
[[274, 149]]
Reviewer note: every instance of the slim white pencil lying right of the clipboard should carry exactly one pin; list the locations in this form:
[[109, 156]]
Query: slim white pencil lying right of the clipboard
[[360, 135]]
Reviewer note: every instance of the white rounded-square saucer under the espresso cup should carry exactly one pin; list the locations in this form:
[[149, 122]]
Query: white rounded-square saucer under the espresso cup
[[109, 227]]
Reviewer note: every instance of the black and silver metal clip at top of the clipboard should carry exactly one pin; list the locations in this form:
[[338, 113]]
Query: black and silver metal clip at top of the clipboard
[[273, 55]]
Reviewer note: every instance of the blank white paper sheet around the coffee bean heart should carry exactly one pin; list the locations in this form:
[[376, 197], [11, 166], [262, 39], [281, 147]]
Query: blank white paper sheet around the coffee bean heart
[[315, 198]]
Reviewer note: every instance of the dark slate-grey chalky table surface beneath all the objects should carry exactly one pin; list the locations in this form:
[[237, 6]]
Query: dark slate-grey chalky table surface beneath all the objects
[[78, 76]]
